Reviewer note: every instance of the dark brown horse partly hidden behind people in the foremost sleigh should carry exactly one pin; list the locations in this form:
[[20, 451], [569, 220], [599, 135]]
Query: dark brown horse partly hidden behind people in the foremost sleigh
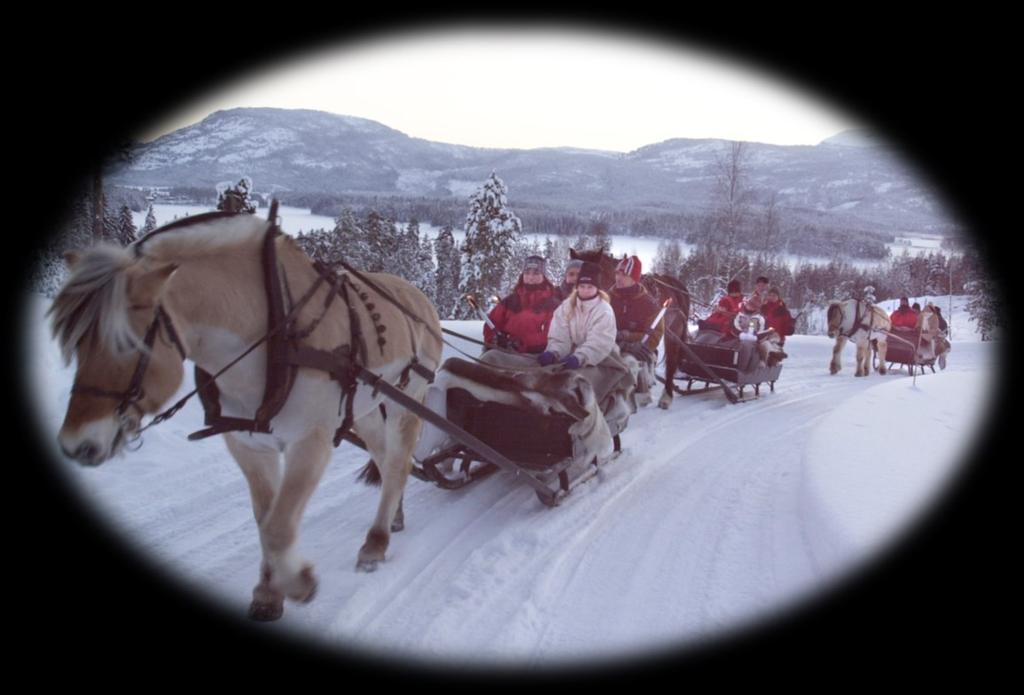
[[676, 319]]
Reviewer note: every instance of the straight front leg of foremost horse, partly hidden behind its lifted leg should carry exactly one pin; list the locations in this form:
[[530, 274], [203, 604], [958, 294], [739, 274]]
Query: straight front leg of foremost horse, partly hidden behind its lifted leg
[[263, 471]]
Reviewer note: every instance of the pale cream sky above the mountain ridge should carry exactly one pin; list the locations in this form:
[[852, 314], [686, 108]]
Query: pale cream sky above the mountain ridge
[[528, 89]]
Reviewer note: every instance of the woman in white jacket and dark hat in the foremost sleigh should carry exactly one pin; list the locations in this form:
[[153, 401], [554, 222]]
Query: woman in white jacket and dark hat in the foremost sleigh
[[583, 329]]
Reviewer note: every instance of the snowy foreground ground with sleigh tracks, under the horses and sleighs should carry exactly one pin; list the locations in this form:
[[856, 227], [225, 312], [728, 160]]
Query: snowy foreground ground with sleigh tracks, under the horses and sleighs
[[714, 516]]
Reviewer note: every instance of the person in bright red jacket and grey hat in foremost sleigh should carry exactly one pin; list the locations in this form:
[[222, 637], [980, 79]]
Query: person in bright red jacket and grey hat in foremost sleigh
[[524, 318]]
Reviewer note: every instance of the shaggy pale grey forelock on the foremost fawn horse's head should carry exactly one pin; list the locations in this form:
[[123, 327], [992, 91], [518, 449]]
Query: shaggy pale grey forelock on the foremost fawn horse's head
[[96, 295]]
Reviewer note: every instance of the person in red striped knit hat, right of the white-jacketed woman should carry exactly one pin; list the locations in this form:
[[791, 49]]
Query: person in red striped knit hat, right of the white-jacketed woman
[[635, 311]]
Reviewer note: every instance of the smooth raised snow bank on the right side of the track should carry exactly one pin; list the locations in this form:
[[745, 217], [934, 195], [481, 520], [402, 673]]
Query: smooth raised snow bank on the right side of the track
[[877, 464]]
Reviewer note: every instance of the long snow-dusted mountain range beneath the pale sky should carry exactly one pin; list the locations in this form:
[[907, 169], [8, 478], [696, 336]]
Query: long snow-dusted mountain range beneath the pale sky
[[852, 179]]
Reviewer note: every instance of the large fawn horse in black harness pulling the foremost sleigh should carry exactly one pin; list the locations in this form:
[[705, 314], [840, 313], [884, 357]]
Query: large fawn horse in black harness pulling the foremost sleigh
[[195, 289]]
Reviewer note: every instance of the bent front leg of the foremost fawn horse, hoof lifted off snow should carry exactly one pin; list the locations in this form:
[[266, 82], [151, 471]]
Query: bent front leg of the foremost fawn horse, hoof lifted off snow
[[284, 572]]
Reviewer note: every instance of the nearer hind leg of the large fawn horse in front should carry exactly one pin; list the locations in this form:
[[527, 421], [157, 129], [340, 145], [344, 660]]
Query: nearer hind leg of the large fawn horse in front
[[392, 448]]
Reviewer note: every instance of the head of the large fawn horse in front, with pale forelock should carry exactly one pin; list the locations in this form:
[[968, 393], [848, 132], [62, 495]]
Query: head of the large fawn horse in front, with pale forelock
[[130, 360]]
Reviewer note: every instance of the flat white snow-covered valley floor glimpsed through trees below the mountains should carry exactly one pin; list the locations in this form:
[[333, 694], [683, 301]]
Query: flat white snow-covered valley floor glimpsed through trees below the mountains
[[296, 220]]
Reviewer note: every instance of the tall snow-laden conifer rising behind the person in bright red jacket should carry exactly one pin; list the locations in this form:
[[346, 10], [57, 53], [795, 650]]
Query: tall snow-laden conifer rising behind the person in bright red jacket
[[492, 232]]
